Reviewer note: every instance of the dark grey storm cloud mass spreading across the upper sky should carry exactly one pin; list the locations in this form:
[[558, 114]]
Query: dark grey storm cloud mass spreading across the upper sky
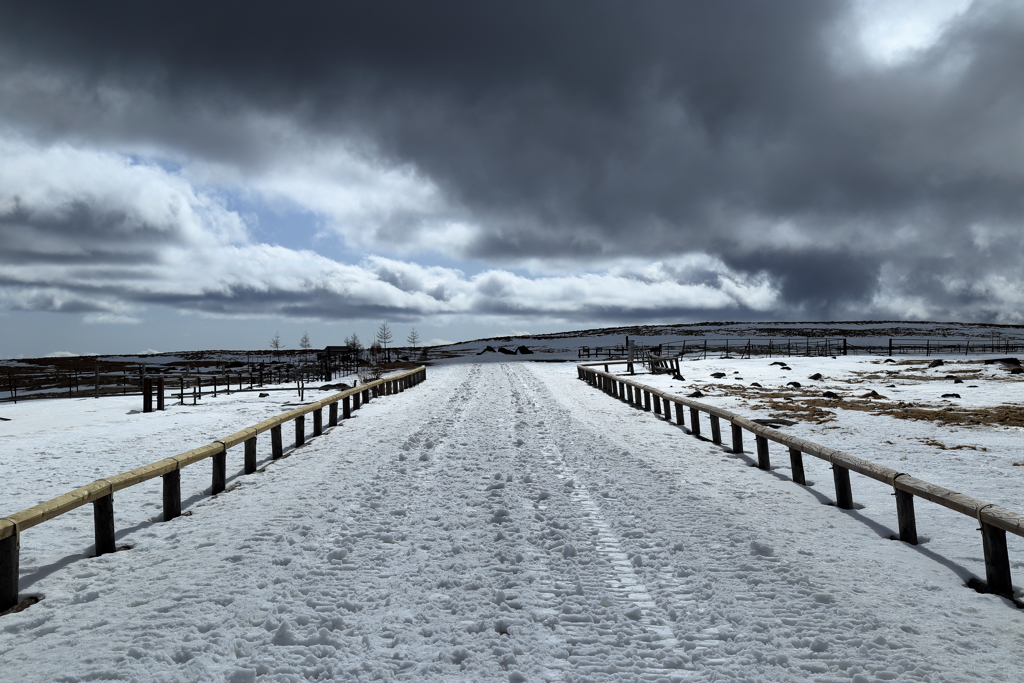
[[590, 132]]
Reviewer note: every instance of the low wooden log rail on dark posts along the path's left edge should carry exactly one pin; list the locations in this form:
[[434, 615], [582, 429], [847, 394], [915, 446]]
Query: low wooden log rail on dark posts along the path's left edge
[[101, 493]]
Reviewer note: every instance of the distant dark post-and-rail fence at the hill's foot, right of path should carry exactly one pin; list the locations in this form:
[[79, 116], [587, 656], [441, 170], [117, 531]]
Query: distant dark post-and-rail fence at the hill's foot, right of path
[[702, 348]]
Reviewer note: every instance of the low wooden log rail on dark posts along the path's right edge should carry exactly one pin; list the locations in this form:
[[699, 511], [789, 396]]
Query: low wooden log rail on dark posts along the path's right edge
[[995, 522]]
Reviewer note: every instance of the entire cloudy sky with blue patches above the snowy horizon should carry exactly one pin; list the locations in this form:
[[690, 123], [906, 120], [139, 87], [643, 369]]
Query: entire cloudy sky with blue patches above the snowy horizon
[[192, 176]]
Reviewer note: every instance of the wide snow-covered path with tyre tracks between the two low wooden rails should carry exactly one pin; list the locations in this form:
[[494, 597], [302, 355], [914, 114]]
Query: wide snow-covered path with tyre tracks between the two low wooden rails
[[508, 523]]
